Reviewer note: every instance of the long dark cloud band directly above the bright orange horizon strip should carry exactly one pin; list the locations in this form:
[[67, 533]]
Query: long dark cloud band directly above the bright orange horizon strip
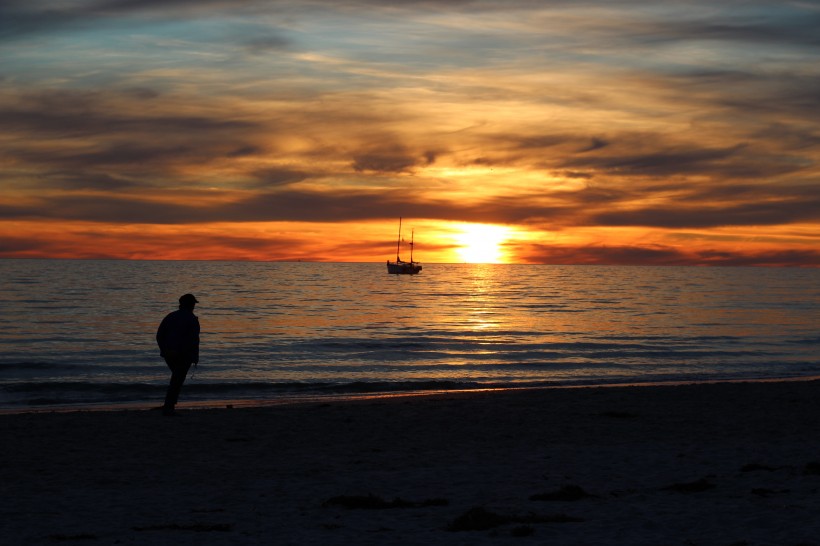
[[742, 205]]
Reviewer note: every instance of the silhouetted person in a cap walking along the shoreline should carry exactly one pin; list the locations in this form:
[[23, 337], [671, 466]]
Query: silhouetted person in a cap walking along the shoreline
[[178, 340]]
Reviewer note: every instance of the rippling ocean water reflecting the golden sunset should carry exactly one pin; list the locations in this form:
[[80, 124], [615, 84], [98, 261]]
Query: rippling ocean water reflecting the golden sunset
[[76, 333]]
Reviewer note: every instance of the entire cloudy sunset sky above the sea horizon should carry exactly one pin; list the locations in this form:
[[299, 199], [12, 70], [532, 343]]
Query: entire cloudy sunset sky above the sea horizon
[[670, 132]]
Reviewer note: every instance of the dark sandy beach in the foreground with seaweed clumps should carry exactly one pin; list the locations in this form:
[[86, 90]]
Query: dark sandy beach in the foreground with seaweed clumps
[[724, 464]]
